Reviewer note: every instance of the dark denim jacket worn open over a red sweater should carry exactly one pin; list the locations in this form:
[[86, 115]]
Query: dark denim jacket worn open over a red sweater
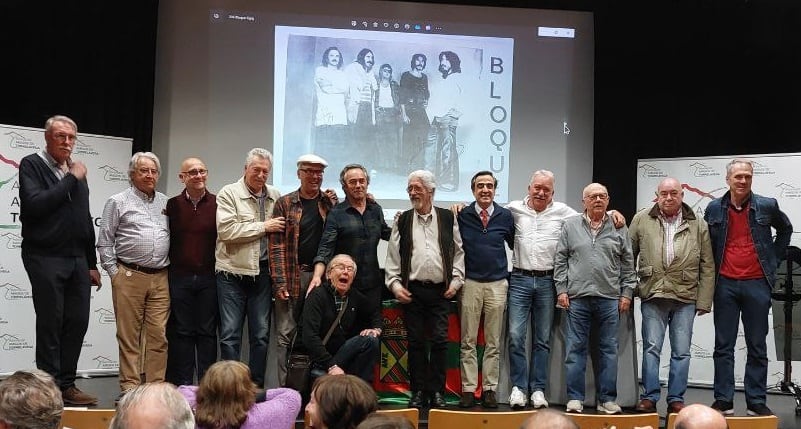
[[763, 213]]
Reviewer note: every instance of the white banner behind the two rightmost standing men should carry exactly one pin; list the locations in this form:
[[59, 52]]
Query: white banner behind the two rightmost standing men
[[703, 179]]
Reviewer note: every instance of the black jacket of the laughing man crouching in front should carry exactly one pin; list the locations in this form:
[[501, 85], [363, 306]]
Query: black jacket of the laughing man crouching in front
[[319, 313]]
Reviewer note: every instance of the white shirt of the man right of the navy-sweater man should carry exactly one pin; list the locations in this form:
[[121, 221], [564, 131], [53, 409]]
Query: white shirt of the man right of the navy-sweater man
[[536, 234]]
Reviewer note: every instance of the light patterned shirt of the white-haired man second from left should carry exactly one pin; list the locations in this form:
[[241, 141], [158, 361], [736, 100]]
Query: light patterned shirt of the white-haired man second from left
[[134, 229]]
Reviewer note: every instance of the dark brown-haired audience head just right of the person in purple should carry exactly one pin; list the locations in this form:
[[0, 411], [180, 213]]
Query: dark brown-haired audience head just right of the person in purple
[[340, 402]]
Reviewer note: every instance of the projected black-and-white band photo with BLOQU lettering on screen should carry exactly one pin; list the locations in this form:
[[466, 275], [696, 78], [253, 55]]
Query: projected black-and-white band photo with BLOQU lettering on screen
[[393, 103]]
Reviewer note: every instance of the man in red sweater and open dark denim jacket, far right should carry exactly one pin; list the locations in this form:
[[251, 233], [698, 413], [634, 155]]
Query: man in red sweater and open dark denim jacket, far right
[[746, 256]]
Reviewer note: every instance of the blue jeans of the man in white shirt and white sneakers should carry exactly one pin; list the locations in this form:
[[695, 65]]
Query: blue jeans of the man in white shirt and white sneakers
[[535, 298]]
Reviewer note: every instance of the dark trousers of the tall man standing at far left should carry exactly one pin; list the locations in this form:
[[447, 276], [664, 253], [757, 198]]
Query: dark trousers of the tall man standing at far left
[[61, 293]]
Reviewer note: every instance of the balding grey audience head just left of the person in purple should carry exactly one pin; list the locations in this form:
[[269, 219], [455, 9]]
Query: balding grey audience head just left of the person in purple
[[153, 405]]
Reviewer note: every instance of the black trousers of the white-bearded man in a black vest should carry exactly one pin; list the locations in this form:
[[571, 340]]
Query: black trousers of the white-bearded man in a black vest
[[428, 312]]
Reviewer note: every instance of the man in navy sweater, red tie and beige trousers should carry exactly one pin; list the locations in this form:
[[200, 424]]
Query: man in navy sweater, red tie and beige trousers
[[485, 227]]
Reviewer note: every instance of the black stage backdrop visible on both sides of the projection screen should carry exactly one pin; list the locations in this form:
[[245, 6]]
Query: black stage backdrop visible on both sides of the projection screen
[[672, 78]]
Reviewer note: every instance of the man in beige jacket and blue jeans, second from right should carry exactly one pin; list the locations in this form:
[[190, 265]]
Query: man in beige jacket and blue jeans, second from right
[[676, 281]]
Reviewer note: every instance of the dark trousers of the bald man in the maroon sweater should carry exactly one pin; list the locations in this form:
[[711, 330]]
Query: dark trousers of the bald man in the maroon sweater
[[192, 327]]
